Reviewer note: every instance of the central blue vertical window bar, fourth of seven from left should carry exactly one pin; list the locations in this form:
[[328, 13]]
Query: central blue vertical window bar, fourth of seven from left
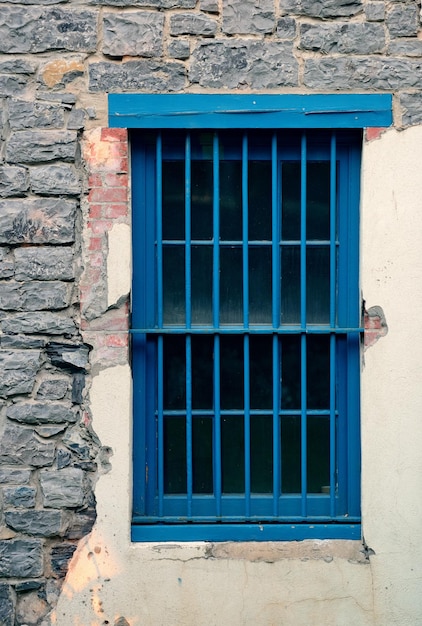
[[246, 353]]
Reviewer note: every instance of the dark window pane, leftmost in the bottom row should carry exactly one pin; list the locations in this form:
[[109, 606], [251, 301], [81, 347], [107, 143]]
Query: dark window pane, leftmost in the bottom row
[[174, 455]]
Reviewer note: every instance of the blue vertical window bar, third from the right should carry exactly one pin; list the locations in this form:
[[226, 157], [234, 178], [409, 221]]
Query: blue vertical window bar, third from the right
[[276, 289]]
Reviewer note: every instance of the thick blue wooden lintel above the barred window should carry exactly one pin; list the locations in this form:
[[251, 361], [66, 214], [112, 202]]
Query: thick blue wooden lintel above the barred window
[[249, 111]]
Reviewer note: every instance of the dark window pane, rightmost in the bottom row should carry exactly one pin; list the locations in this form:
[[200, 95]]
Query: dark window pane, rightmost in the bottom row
[[318, 457]]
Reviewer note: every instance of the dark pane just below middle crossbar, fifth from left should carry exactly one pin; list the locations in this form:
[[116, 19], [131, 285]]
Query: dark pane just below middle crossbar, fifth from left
[[290, 373]]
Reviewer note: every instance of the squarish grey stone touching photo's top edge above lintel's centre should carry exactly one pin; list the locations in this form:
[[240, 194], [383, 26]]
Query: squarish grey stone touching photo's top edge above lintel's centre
[[242, 17]]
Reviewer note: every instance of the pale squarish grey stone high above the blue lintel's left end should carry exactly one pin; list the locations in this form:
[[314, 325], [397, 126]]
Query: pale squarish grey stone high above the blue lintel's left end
[[137, 33]]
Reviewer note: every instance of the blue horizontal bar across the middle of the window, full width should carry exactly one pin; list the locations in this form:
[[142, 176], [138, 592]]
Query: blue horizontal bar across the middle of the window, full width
[[252, 330]]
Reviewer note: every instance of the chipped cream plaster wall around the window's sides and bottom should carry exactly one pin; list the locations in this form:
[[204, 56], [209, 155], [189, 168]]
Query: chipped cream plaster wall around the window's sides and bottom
[[293, 584]]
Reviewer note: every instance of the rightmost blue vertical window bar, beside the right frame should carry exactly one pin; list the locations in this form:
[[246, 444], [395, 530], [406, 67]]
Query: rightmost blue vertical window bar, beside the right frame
[[333, 309]]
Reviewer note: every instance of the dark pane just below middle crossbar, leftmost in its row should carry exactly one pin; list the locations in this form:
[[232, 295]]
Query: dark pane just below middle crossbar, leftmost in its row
[[174, 372]]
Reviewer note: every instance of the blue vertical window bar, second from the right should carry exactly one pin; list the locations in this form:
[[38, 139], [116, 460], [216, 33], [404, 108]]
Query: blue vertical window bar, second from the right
[[303, 181]]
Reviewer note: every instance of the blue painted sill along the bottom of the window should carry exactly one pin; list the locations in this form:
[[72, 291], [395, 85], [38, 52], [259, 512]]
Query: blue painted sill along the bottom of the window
[[243, 532]]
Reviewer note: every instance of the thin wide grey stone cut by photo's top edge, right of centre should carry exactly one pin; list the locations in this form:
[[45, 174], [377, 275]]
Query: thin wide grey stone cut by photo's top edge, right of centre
[[325, 9]]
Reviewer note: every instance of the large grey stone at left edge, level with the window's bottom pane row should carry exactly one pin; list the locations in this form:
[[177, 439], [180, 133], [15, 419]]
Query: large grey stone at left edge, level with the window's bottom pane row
[[20, 446]]
